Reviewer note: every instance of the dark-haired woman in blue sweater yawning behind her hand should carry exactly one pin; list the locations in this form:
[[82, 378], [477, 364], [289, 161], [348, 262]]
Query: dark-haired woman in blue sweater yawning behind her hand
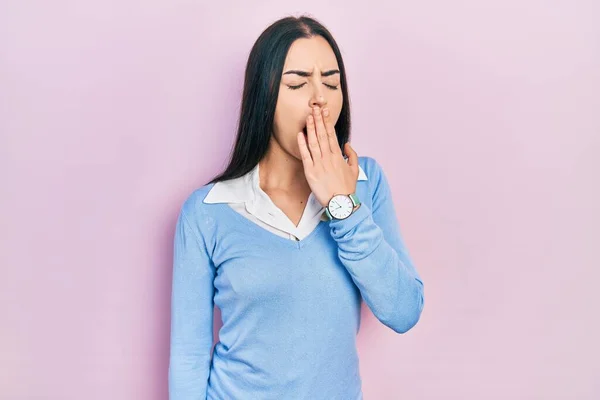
[[288, 240]]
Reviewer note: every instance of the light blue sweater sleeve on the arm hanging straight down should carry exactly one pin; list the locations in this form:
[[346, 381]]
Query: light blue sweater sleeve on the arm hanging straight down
[[191, 313]]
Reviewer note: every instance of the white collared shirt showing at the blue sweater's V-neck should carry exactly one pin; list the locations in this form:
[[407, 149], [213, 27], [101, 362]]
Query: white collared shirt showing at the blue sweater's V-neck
[[245, 196]]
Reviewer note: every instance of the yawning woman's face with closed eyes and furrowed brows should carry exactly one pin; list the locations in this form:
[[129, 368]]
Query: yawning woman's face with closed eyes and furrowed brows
[[310, 78]]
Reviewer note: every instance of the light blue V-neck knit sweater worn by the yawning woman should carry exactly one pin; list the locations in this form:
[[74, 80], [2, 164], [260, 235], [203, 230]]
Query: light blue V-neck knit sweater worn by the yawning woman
[[290, 309]]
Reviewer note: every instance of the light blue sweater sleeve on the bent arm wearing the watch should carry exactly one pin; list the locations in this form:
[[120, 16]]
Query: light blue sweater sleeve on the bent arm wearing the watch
[[371, 248]]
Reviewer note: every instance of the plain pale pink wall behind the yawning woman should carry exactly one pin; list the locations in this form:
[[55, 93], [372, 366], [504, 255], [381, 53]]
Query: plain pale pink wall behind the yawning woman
[[484, 115]]
